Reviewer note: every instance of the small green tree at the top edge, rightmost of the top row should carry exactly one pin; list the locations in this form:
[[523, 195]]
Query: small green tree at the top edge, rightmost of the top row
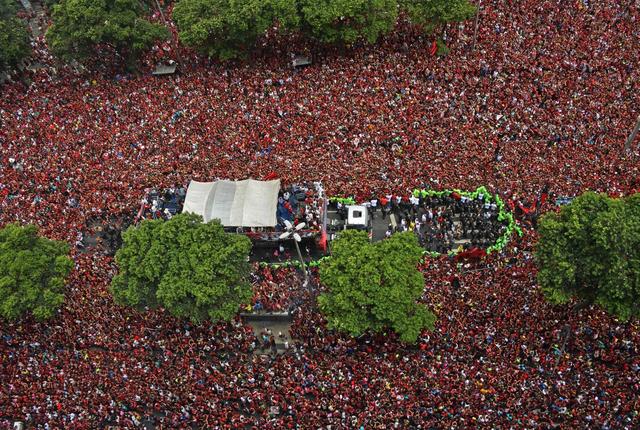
[[432, 14]]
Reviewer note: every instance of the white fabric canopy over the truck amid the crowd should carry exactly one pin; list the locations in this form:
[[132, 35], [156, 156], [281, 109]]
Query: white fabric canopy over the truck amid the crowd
[[247, 203]]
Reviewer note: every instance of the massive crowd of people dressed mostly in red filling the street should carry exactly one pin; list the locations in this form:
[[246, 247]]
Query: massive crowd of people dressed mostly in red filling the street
[[546, 99]]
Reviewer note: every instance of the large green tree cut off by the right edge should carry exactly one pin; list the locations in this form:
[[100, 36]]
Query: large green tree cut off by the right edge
[[590, 251]]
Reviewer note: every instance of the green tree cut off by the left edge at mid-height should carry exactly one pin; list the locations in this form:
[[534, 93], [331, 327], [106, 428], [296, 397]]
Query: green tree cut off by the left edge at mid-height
[[33, 270]]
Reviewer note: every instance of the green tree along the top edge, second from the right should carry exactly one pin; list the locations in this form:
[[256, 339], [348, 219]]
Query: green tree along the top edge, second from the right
[[348, 21]]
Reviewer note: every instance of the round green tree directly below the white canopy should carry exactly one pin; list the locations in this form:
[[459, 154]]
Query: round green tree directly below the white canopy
[[192, 269]]
